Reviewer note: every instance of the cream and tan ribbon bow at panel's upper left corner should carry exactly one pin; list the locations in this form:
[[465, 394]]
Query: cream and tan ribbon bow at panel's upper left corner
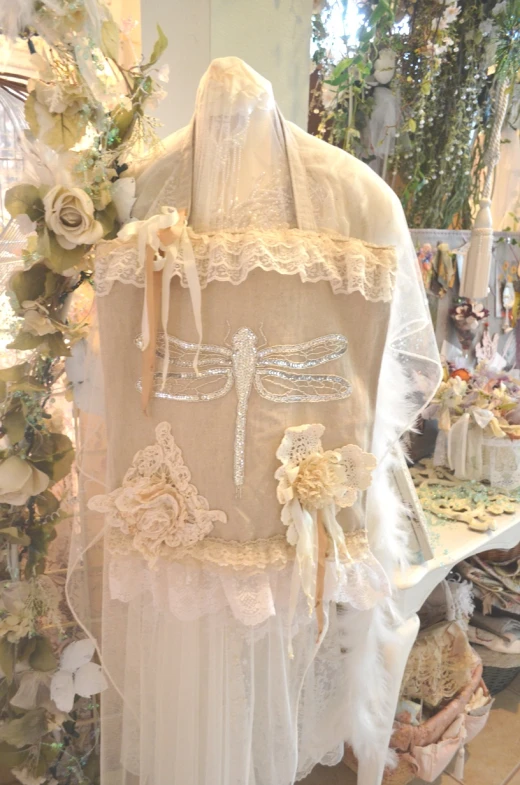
[[159, 239]]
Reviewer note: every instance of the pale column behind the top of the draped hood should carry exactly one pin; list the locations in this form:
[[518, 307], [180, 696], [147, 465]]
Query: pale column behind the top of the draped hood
[[272, 36]]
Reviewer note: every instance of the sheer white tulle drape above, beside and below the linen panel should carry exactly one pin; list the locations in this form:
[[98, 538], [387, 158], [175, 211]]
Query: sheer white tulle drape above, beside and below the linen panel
[[205, 698]]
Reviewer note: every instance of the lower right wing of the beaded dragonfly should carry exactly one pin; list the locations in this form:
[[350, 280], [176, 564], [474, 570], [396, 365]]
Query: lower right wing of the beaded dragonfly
[[286, 387]]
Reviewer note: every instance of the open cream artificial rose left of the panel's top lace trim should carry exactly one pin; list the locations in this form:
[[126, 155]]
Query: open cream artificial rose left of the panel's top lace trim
[[69, 212]]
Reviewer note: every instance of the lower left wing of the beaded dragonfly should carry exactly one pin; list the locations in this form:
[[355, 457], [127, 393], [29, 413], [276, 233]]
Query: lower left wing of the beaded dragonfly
[[205, 386]]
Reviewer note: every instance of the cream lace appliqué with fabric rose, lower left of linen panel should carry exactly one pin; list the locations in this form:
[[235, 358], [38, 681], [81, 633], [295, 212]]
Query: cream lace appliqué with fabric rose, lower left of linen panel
[[157, 508]]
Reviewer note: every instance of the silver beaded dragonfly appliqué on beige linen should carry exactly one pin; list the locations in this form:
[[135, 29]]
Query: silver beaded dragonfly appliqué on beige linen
[[273, 371]]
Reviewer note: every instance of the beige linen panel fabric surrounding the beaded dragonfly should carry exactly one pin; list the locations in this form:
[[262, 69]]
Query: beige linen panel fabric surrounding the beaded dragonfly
[[280, 310]]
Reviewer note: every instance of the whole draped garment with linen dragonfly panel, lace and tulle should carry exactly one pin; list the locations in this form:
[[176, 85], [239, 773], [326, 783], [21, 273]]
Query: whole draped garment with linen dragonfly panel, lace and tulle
[[312, 313]]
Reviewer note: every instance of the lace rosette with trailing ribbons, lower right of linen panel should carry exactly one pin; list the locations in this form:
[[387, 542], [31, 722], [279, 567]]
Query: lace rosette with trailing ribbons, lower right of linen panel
[[313, 485]]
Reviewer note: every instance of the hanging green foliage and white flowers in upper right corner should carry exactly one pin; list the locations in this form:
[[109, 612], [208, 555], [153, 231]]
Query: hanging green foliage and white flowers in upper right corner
[[418, 91]]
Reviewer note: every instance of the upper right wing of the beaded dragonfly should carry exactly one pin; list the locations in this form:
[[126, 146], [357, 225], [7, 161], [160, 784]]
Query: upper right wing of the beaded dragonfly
[[304, 355]]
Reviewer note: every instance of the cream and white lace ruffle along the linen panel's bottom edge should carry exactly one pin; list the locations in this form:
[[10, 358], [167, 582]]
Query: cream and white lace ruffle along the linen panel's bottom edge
[[252, 579]]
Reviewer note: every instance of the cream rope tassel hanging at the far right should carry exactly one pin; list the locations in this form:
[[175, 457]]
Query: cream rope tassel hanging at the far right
[[477, 266]]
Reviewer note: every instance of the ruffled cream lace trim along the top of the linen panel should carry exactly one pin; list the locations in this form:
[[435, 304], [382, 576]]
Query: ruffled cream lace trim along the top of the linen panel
[[350, 265]]
